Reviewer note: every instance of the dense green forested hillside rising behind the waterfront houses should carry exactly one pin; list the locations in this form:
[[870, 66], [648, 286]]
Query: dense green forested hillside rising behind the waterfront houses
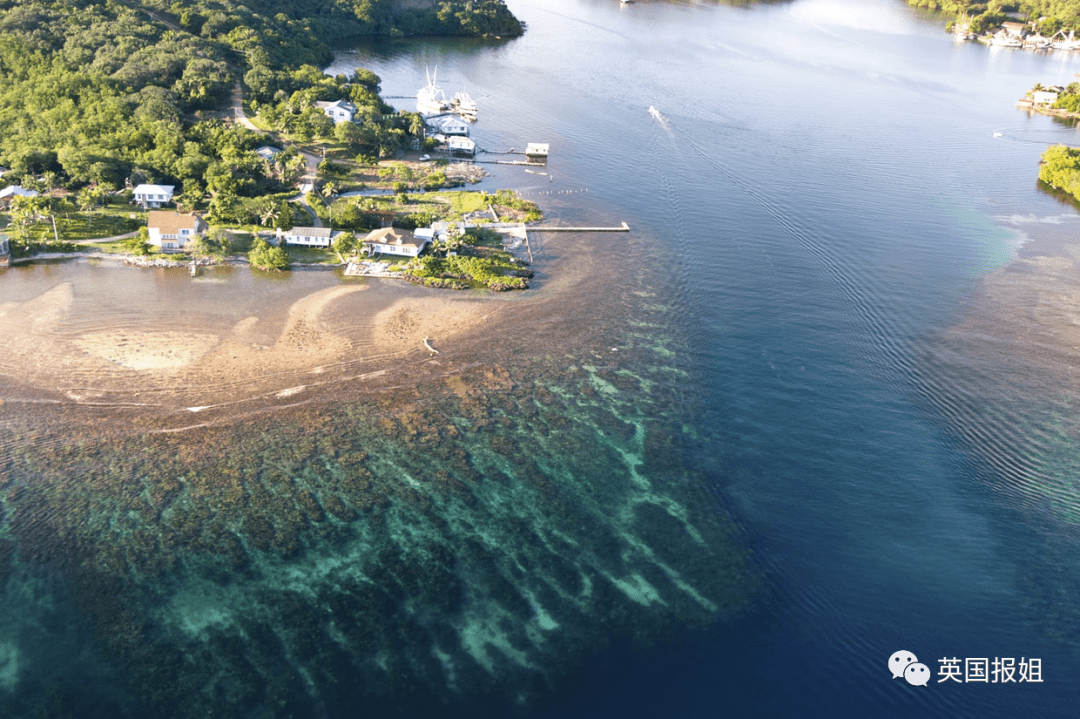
[[103, 93]]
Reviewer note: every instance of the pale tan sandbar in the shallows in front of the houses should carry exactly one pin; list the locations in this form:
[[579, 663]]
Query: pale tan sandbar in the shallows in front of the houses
[[332, 333]]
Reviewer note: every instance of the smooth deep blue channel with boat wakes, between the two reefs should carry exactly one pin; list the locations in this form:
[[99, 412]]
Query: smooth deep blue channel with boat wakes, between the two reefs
[[835, 182]]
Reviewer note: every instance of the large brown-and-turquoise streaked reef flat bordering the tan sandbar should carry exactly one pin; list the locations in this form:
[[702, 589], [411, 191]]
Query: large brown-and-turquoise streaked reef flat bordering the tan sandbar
[[474, 524]]
